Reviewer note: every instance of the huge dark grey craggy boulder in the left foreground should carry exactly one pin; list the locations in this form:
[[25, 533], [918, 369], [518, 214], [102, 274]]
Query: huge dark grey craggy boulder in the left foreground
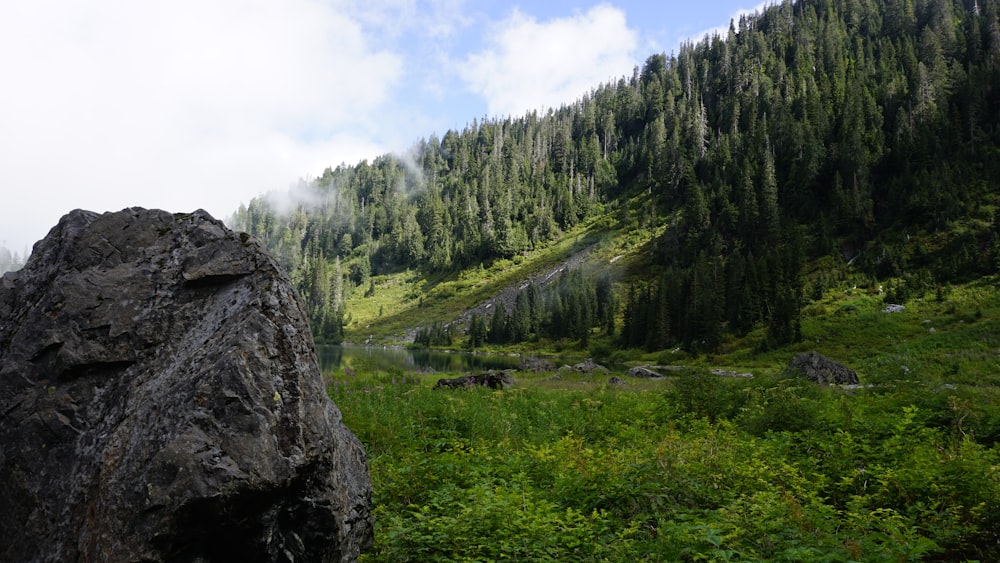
[[160, 400]]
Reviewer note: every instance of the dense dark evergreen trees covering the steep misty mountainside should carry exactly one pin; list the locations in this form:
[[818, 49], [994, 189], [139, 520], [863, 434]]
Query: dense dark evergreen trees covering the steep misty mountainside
[[837, 132]]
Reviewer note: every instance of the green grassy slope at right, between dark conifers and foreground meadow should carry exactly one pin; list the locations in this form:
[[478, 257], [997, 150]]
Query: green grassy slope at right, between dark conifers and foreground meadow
[[952, 336]]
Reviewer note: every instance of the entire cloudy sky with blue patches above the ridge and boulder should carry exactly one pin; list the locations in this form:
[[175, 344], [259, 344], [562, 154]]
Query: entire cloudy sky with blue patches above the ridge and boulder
[[191, 104]]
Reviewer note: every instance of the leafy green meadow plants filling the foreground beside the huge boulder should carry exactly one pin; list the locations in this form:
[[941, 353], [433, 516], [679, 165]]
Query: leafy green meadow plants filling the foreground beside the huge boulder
[[696, 467]]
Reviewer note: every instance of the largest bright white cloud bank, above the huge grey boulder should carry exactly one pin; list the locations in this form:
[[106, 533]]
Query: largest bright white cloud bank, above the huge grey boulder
[[185, 104]]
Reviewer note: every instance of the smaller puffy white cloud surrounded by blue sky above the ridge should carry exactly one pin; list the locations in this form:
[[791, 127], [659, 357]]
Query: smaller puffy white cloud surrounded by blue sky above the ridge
[[531, 65]]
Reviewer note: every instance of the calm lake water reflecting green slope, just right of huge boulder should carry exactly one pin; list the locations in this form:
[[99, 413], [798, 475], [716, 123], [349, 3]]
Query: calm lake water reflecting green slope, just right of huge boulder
[[389, 360]]
